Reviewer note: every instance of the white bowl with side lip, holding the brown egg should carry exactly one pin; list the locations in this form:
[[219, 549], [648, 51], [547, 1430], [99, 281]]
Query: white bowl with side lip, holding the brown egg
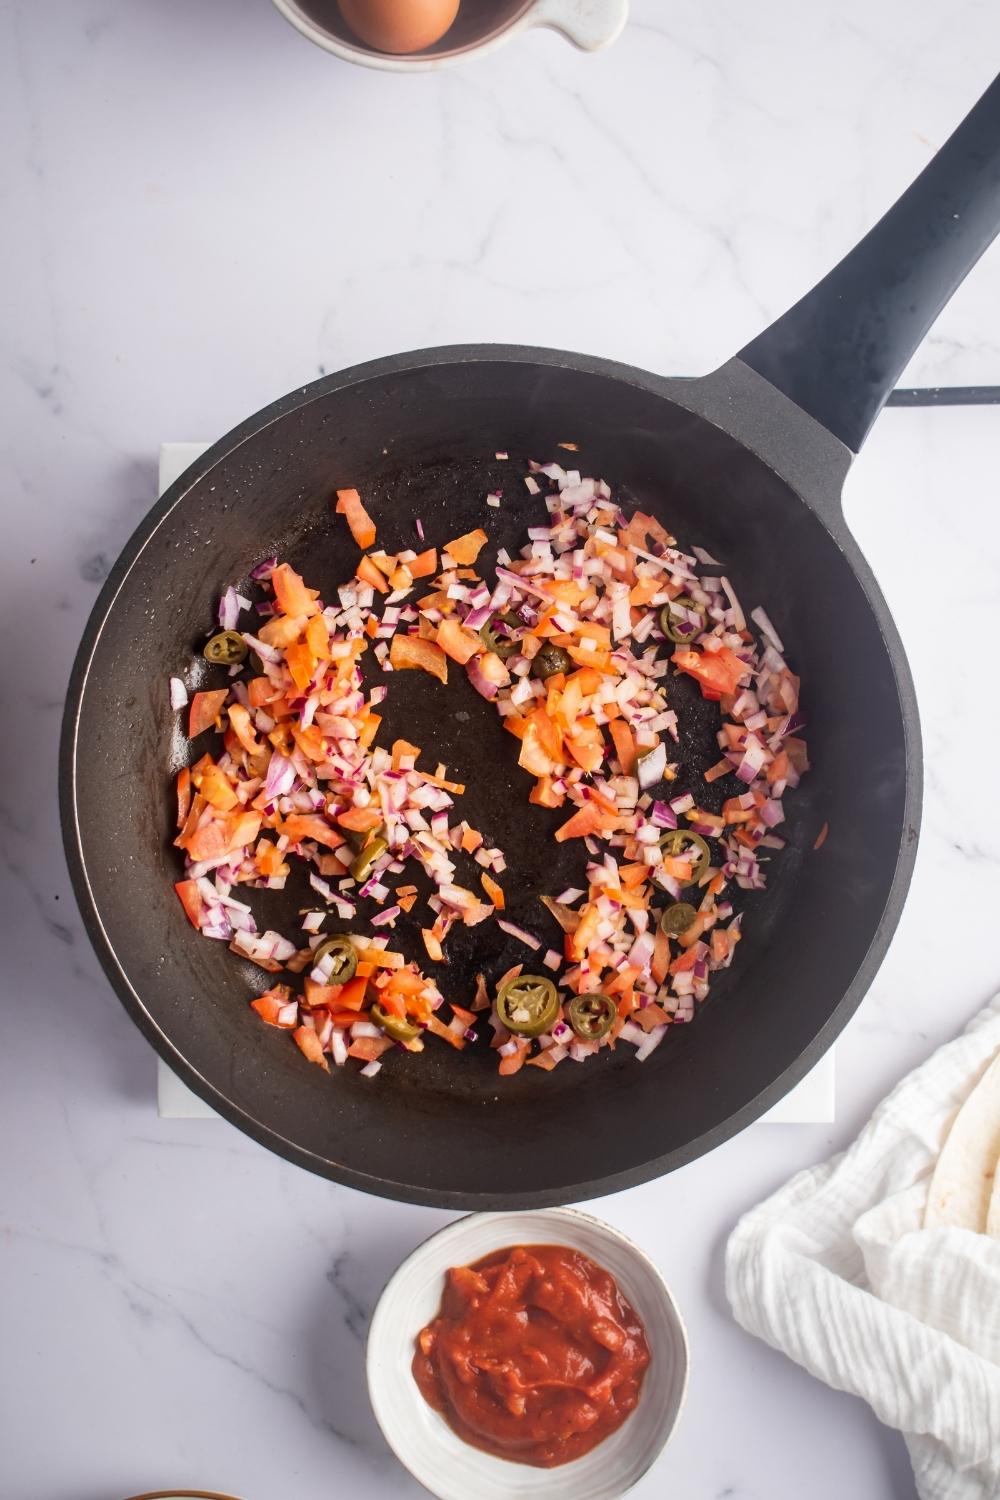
[[479, 31]]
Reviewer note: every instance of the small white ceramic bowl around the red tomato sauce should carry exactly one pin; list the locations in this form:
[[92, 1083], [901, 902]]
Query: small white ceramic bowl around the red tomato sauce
[[422, 1439]]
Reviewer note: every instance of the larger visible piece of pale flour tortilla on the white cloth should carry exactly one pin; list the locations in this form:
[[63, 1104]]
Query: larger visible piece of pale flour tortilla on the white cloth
[[963, 1193]]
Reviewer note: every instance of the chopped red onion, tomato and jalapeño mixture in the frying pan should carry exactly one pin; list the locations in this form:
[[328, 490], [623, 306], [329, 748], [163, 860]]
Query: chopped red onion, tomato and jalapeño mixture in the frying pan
[[575, 644]]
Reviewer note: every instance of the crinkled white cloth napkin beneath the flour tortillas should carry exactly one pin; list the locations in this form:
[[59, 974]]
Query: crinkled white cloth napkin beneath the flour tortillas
[[837, 1271]]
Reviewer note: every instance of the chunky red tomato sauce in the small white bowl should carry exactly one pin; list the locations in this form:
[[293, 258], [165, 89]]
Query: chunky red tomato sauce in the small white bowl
[[534, 1355]]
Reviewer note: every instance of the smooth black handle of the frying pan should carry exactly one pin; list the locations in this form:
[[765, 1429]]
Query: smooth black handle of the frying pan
[[840, 350]]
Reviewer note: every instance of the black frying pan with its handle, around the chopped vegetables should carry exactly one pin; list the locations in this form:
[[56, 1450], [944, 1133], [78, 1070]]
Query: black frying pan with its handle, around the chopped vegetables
[[747, 463]]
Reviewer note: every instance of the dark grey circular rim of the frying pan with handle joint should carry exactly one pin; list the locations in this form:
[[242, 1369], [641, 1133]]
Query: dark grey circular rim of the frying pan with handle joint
[[713, 401]]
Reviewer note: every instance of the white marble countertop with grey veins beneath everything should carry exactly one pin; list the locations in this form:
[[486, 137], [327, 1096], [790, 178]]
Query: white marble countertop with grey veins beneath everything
[[202, 211]]
